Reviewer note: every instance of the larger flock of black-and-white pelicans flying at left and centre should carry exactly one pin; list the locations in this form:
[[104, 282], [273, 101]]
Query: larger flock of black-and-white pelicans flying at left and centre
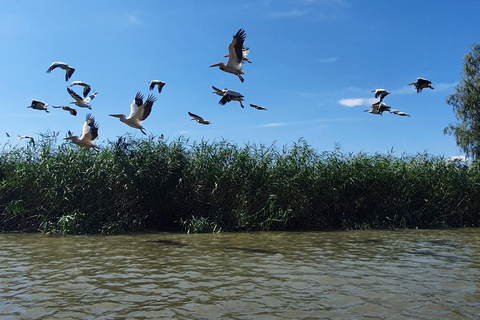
[[140, 109]]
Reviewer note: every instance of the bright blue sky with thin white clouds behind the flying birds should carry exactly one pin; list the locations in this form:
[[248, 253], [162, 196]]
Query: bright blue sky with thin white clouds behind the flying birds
[[314, 65]]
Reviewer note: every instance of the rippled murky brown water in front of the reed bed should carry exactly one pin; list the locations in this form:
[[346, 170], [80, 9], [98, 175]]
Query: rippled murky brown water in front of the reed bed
[[414, 274]]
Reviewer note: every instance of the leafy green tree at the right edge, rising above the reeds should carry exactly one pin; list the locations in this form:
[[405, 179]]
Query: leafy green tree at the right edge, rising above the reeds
[[466, 106]]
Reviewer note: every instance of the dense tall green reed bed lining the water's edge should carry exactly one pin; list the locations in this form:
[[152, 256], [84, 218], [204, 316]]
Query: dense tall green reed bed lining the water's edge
[[152, 184]]
